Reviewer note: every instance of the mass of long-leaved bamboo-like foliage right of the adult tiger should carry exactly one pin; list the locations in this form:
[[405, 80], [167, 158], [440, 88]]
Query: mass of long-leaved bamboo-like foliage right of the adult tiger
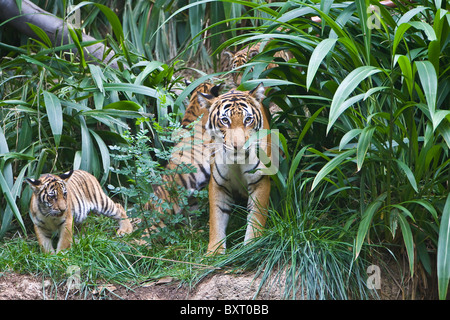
[[375, 83]]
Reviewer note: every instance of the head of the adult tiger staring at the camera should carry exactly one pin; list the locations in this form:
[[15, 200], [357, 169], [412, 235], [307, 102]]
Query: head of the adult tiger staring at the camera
[[234, 117]]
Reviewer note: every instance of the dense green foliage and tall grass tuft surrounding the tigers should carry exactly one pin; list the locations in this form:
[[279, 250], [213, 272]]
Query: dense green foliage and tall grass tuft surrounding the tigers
[[364, 124]]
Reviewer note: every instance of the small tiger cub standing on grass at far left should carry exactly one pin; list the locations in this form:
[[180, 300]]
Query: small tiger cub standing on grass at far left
[[58, 201]]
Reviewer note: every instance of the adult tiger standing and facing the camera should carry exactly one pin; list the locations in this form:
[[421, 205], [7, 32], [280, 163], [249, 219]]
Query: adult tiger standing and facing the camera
[[236, 168]]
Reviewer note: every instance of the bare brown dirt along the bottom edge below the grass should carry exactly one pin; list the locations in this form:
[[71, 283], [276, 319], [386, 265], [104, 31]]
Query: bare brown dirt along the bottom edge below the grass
[[218, 286]]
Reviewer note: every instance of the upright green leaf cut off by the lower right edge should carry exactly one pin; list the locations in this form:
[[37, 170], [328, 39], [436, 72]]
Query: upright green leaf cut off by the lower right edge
[[443, 251]]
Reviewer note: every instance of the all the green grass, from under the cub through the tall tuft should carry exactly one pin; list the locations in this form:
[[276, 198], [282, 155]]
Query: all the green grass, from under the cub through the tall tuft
[[300, 250]]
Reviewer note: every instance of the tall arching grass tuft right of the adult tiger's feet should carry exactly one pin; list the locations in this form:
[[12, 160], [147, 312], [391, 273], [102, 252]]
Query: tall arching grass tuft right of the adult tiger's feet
[[305, 249]]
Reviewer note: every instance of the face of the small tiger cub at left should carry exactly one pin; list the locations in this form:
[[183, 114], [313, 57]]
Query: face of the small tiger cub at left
[[51, 192]]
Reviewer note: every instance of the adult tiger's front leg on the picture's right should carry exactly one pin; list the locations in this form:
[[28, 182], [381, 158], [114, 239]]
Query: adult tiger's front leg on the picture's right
[[258, 203]]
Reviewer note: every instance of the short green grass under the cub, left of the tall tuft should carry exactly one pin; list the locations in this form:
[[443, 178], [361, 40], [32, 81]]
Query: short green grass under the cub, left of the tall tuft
[[104, 258]]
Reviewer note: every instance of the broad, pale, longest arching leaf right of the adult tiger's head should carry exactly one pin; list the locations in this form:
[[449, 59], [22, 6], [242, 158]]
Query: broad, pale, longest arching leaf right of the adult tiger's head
[[347, 86]]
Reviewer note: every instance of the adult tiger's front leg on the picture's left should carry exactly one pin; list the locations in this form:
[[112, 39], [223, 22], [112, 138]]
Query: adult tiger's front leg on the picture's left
[[219, 214]]
